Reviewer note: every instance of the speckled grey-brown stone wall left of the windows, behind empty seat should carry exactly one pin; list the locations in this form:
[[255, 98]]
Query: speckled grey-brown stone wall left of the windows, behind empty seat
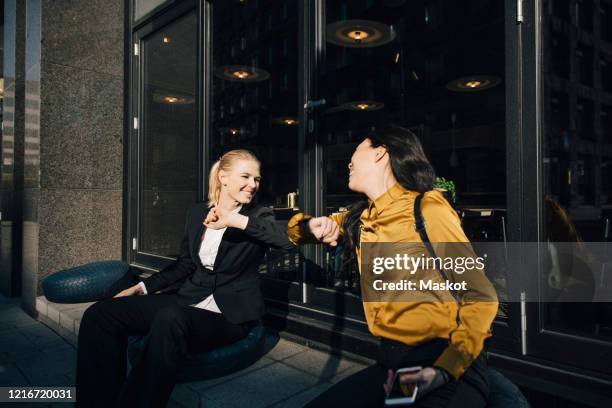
[[74, 137]]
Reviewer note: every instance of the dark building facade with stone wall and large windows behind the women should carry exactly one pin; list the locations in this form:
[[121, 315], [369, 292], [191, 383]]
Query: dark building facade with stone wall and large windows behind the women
[[113, 112]]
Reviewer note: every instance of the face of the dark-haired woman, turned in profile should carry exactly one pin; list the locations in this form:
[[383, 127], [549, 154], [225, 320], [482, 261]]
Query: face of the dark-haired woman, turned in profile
[[364, 166]]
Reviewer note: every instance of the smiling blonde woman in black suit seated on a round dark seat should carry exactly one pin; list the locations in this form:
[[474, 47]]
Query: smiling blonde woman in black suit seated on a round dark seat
[[223, 244]]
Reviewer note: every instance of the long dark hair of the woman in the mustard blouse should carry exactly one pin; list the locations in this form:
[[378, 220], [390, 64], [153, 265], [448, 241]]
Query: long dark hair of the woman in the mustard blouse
[[409, 165]]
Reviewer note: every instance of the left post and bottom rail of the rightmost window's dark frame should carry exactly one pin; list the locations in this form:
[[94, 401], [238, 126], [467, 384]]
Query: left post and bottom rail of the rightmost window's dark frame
[[542, 342]]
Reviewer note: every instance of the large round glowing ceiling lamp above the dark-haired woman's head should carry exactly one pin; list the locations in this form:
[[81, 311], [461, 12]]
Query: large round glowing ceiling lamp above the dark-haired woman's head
[[359, 33]]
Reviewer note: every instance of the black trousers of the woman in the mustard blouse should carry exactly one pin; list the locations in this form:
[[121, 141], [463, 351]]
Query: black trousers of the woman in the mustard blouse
[[365, 388]]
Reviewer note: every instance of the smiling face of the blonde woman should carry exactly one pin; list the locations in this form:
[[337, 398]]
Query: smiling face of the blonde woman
[[241, 182]]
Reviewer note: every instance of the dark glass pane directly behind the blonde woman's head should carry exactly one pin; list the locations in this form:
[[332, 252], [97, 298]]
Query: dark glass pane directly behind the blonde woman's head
[[255, 102]]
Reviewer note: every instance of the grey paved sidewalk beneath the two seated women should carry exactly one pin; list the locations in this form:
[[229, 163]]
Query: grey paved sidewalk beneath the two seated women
[[32, 354]]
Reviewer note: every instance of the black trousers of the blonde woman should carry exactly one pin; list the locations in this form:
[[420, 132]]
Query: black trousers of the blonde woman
[[172, 330]]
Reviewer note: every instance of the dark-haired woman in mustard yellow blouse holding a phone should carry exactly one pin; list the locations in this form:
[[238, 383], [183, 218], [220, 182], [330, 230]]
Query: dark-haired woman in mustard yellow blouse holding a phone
[[442, 335]]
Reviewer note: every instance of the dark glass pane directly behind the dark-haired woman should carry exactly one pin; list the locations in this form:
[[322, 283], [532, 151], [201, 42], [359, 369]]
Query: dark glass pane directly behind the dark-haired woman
[[436, 67]]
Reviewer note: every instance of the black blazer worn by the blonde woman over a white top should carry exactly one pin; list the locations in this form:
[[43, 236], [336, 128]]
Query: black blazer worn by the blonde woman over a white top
[[235, 278]]
